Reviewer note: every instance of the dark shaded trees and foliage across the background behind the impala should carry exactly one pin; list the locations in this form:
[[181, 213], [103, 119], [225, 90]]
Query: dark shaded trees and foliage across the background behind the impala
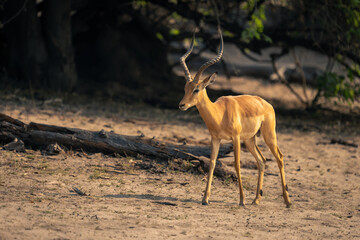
[[120, 49]]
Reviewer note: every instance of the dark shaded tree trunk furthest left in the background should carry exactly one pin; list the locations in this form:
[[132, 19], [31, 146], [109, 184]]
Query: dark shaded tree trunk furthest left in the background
[[26, 54]]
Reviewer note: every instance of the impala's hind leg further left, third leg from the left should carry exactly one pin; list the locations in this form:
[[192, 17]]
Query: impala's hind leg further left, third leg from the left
[[260, 162]]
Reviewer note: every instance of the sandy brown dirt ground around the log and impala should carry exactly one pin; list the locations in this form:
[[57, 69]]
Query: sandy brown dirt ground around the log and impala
[[125, 201]]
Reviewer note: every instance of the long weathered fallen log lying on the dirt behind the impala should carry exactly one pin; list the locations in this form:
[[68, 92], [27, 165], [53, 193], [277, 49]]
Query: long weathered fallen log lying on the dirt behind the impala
[[40, 136]]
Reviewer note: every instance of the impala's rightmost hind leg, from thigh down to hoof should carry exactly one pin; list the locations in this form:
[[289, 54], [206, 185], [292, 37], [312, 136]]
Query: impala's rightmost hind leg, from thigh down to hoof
[[268, 132]]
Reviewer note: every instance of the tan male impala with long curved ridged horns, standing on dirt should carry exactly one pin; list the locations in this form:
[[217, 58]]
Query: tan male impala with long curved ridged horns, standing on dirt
[[233, 118]]
